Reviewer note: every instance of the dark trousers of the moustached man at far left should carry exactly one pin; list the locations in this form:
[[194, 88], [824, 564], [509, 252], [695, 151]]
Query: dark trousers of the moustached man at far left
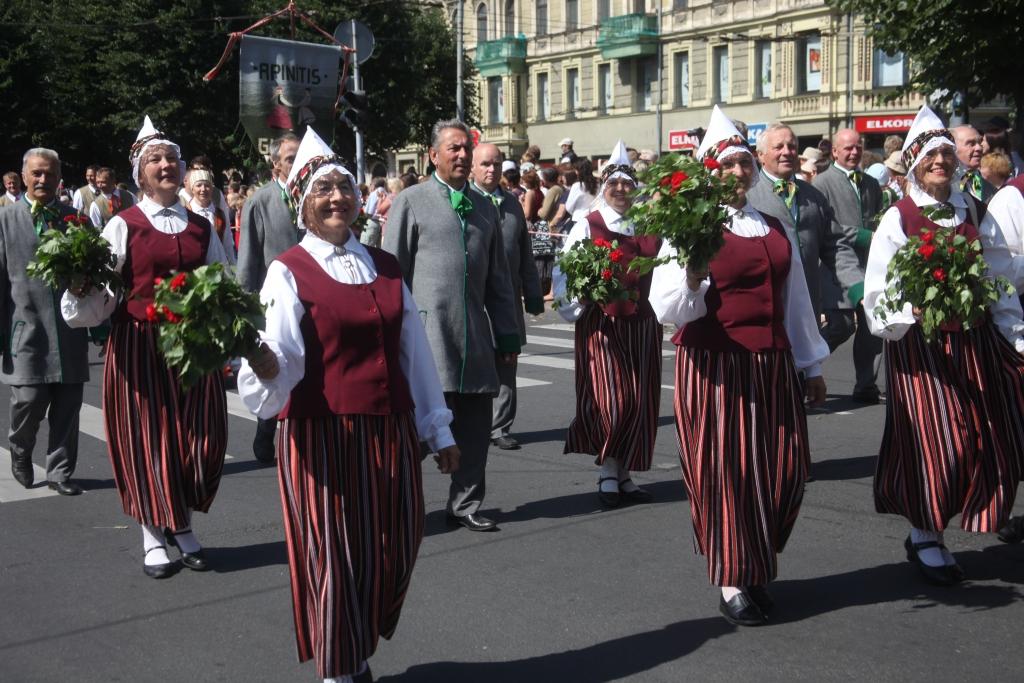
[[60, 404]]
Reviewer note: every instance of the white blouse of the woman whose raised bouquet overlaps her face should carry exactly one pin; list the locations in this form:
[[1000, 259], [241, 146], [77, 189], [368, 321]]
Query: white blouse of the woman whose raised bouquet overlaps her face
[[674, 303]]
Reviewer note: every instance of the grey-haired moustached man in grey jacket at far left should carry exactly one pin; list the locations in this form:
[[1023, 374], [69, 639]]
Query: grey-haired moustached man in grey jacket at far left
[[45, 361]]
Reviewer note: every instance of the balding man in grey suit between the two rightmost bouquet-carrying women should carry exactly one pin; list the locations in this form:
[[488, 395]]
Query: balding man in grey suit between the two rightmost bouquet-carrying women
[[856, 199]]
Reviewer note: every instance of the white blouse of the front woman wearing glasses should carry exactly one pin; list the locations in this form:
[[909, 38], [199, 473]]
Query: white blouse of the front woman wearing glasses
[[268, 398]]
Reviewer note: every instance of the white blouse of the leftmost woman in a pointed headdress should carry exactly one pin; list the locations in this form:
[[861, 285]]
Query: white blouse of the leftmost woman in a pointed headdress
[[97, 307]]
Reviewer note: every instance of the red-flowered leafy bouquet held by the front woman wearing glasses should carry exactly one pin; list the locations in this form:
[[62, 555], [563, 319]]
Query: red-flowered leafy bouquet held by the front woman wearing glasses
[[206, 319]]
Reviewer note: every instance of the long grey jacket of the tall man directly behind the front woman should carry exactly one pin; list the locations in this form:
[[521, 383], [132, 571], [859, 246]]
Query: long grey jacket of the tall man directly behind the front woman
[[460, 279]]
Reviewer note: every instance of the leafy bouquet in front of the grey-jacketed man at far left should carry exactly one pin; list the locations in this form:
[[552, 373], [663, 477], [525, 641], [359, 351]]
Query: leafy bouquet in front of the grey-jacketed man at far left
[[77, 258]]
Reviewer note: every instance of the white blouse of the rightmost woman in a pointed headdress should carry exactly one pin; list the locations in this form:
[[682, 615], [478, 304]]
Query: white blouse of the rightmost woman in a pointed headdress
[[890, 237]]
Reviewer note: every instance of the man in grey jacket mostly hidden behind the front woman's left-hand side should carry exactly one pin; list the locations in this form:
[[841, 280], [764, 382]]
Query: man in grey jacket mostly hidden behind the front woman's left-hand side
[[269, 229]]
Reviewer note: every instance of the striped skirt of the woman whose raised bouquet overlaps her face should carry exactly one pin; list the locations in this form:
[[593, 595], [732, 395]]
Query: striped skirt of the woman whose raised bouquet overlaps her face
[[743, 442]]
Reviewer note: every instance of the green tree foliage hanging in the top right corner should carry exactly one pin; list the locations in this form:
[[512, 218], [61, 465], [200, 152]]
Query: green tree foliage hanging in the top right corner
[[953, 46]]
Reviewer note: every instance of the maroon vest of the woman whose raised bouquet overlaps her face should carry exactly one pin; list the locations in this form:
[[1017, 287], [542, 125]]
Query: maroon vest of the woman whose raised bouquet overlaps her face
[[745, 301]]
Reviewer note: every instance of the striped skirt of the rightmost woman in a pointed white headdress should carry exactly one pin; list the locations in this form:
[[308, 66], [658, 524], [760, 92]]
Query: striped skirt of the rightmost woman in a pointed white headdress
[[955, 430]]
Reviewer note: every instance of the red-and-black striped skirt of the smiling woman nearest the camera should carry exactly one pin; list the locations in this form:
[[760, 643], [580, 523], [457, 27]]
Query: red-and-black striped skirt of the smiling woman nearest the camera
[[353, 495]]
